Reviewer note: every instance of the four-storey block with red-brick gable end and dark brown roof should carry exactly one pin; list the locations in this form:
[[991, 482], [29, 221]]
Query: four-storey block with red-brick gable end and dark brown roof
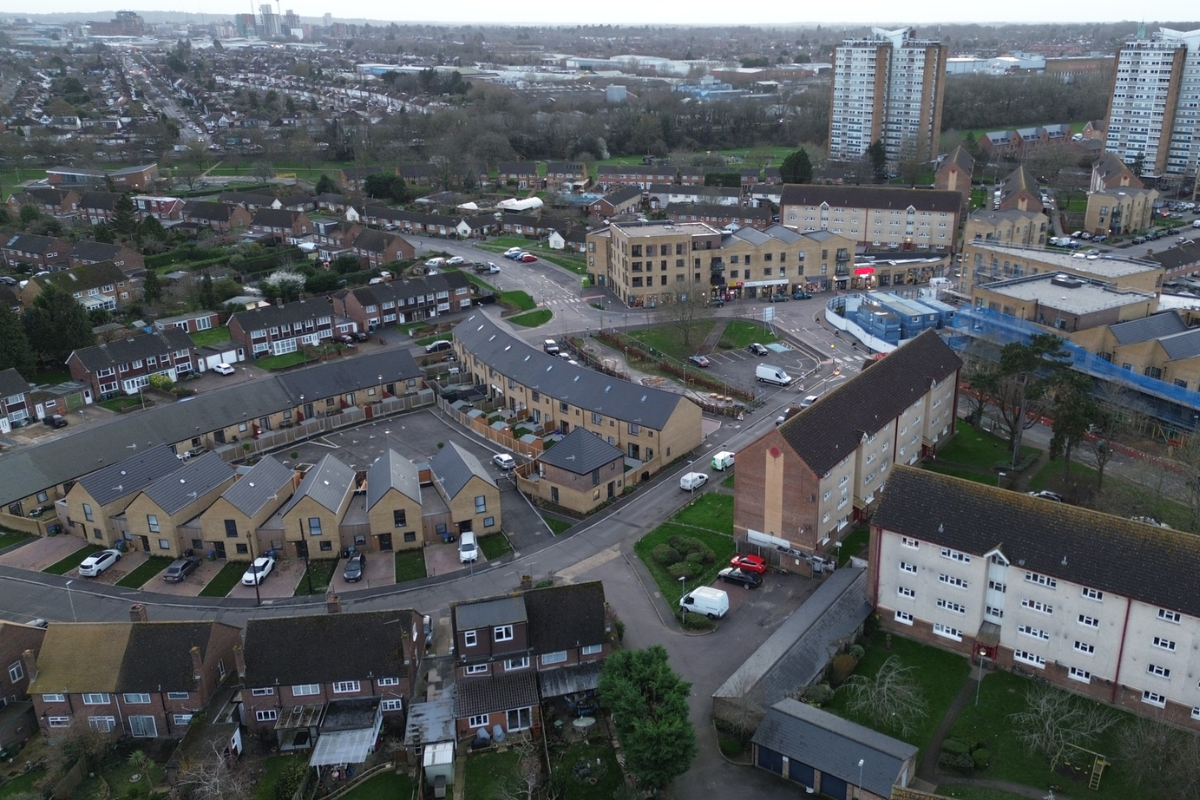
[[802, 484]]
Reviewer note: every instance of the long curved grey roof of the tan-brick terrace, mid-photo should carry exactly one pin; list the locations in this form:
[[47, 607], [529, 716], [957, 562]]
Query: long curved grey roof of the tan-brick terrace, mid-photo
[[590, 390]]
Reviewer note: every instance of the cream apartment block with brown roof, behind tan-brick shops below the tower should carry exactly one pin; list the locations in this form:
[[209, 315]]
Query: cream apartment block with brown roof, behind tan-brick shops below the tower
[[875, 216]]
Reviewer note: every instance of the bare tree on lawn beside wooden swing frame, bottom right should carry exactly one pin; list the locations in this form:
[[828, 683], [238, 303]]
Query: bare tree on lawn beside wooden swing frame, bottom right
[[1055, 721]]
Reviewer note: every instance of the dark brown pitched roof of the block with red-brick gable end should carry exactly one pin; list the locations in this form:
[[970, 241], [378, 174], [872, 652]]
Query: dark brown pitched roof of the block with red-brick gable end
[[826, 432]]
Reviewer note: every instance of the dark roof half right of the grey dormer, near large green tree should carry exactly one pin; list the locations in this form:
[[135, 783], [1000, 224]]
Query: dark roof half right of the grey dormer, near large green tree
[[566, 617]]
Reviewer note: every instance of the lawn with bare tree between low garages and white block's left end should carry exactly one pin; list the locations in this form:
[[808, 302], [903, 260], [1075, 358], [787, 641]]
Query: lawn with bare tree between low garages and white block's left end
[[939, 673]]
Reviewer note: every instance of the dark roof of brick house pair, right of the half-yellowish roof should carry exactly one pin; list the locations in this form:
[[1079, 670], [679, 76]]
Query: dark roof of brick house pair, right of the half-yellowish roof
[[344, 647]]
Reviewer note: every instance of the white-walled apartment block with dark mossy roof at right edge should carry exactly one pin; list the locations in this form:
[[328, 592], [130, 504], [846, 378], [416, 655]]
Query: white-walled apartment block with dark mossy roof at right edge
[[1100, 605]]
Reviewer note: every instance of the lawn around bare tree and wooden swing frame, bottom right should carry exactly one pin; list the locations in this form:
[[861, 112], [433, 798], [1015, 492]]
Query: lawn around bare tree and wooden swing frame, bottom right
[[1004, 695]]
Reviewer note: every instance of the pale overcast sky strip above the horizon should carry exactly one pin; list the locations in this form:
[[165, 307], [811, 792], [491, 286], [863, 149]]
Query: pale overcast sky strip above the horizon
[[709, 13]]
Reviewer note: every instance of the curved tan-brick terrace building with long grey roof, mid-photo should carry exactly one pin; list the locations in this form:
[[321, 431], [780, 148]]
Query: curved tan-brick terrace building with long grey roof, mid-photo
[[651, 426]]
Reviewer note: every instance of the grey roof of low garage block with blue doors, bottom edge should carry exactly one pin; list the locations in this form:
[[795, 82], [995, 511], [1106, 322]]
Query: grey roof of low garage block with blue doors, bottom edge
[[835, 747]]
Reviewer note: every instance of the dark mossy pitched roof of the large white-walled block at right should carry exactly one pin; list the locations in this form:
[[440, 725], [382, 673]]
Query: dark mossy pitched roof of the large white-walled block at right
[[1127, 558]]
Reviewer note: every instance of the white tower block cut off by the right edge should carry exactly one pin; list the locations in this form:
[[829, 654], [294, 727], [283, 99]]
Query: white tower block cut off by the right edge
[[1155, 109]]
